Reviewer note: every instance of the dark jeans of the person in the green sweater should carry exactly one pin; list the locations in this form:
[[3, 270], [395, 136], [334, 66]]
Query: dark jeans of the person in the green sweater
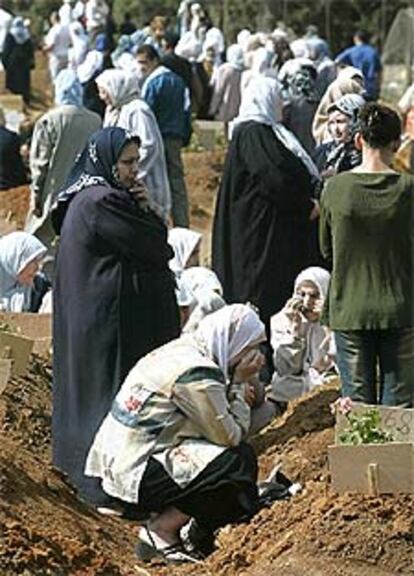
[[377, 366]]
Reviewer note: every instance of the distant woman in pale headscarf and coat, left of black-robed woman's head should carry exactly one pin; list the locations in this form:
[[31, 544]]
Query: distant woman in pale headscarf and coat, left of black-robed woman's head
[[226, 82]]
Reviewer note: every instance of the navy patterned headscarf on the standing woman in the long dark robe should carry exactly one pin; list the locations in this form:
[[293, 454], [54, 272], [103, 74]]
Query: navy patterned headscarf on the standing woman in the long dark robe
[[95, 166]]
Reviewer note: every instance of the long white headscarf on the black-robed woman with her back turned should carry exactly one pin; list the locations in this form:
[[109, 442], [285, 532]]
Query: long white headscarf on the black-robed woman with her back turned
[[262, 102]]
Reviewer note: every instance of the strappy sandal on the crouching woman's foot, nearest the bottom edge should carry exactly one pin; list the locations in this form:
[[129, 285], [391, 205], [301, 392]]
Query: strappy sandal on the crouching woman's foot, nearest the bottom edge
[[147, 549]]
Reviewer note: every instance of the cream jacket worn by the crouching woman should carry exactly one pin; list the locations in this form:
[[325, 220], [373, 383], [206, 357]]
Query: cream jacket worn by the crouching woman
[[175, 406]]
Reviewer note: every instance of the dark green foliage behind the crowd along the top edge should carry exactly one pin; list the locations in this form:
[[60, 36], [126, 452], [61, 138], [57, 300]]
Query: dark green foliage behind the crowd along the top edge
[[336, 19]]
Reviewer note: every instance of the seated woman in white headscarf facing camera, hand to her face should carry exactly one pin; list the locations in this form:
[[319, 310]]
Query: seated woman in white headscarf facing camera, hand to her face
[[302, 347]]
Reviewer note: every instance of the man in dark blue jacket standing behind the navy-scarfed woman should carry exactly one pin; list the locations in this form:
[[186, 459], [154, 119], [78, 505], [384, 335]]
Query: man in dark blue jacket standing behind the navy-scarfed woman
[[168, 97]]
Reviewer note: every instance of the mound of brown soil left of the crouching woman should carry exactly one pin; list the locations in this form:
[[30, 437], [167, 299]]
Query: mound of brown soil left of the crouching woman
[[44, 529]]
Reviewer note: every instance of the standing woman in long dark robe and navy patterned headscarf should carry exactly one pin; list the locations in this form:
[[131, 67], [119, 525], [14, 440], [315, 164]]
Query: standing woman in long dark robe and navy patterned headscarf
[[113, 296]]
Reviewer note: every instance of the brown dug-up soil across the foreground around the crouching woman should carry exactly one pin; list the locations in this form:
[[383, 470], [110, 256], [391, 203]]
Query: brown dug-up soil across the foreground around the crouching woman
[[44, 530]]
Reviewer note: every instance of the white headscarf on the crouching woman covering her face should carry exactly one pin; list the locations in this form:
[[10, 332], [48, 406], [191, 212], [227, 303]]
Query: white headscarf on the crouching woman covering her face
[[225, 333]]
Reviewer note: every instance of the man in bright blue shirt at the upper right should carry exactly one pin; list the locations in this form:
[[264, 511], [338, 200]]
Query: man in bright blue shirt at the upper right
[[366, 58]]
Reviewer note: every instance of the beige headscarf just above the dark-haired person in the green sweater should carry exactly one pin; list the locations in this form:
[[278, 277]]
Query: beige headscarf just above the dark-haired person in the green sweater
[[348, 81]]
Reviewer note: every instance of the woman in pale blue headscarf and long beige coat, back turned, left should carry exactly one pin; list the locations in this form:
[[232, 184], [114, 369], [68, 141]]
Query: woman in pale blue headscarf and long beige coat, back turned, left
[[58, 137]]
